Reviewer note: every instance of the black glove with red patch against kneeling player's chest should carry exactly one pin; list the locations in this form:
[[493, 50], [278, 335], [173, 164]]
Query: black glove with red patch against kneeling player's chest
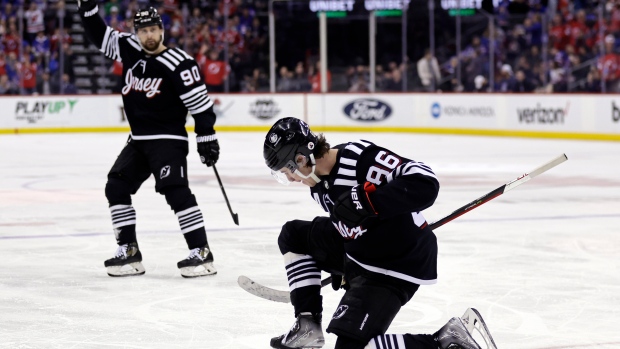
[[354, 207]]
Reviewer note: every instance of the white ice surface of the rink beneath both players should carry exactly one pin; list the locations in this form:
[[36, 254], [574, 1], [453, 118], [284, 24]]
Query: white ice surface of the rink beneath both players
[[541, 262]]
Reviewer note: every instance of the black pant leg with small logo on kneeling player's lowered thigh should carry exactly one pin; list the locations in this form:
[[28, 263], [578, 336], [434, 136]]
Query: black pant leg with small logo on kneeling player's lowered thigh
[[364, 312]]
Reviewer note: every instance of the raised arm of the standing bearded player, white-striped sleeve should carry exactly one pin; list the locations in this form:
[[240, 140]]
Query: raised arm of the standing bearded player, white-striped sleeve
[[108, 40]]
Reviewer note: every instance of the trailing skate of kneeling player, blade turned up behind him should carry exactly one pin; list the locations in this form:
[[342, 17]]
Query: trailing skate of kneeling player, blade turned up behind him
[[457, 333]]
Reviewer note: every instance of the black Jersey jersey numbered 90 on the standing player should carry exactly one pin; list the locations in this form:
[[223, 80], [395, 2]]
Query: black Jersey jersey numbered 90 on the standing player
[[158, 90]]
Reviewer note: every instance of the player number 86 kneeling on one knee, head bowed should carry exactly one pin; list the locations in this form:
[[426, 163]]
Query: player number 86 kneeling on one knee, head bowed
[[375, 243]]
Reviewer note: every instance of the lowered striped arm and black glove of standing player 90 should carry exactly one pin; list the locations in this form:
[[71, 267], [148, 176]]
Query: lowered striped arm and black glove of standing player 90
[[189, 83]]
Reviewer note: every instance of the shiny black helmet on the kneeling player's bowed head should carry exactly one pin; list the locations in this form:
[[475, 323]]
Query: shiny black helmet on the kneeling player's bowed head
[[287, 138]]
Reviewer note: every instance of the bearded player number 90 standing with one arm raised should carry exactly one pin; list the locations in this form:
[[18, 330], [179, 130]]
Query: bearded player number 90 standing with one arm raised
[[160, 85]]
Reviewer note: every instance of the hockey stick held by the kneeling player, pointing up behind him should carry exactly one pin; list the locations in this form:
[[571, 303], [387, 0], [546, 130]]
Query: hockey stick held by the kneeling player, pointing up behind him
[[284, 296]]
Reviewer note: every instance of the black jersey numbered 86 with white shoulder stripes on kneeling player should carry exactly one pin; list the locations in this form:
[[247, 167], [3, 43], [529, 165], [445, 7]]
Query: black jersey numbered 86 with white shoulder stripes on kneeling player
[[399, 242]]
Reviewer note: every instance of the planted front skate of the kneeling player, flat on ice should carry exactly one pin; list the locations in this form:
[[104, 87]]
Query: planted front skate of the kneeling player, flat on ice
[[305, 333]]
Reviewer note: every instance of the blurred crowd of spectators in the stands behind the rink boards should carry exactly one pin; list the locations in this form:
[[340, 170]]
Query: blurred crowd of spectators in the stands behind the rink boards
[[229, 39]]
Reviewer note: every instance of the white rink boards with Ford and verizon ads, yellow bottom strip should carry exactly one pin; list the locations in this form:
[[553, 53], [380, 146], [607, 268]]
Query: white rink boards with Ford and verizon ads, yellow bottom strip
[[577, 116]]
